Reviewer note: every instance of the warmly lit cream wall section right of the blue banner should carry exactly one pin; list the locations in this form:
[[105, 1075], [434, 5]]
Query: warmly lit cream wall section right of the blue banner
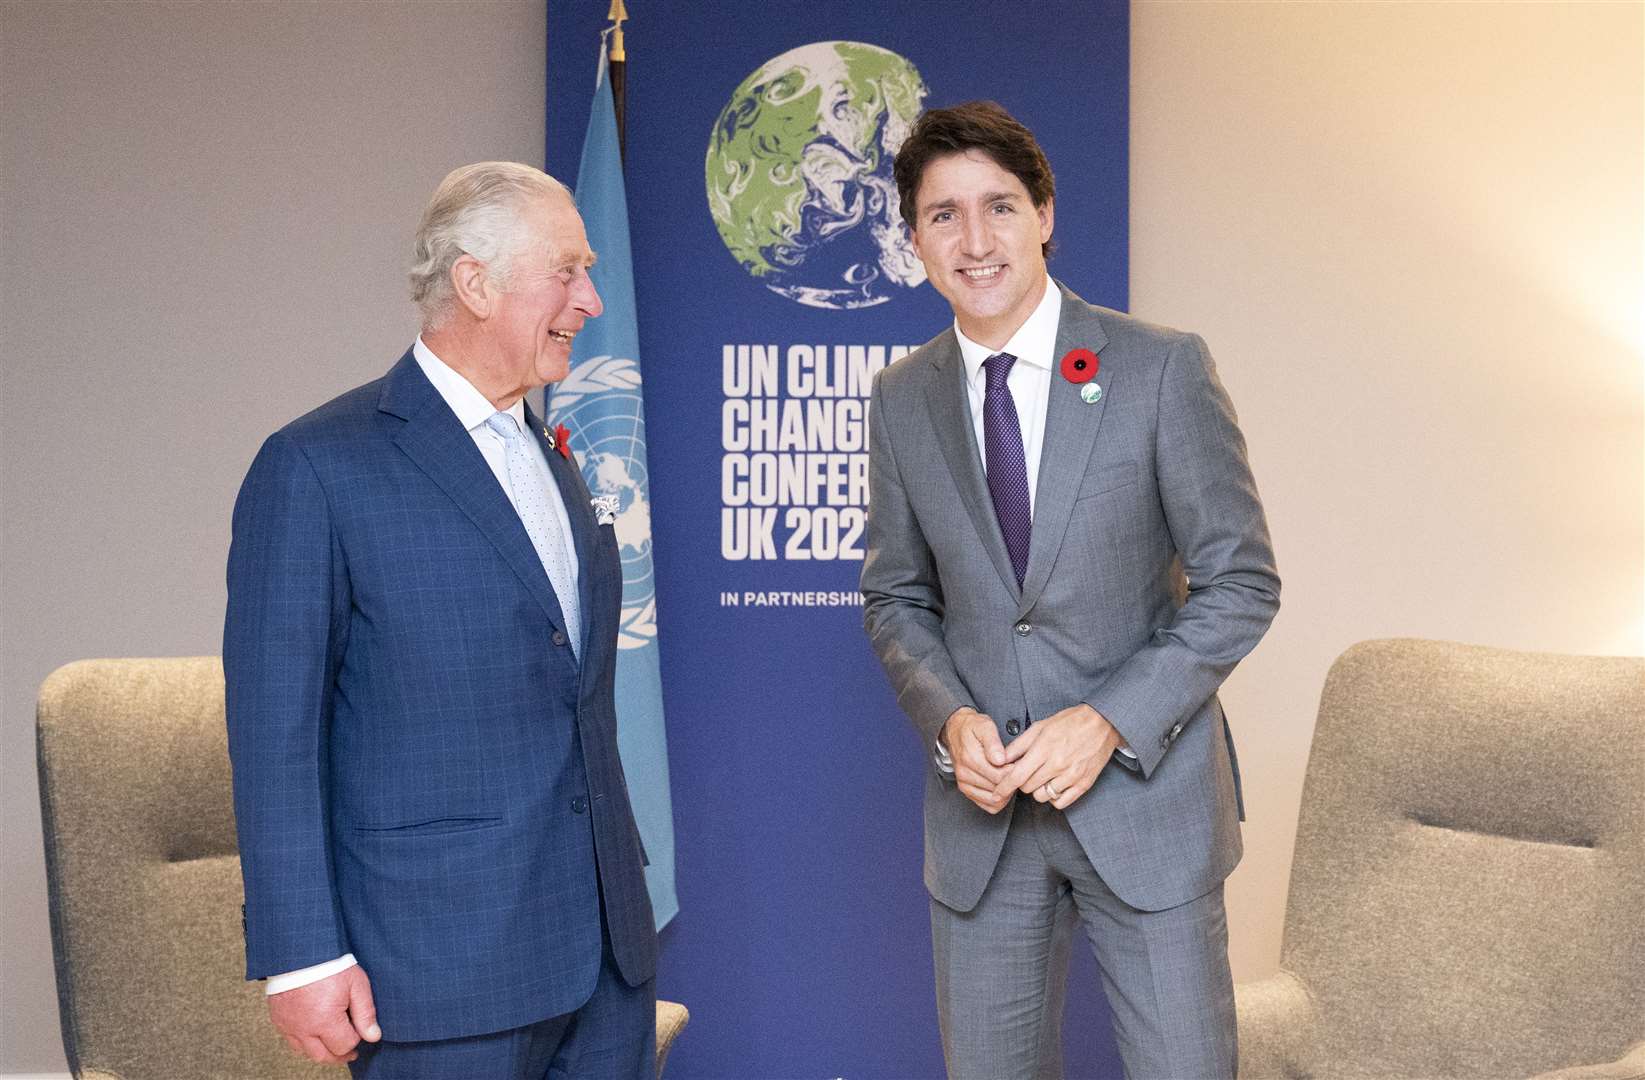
[[1412, 236]]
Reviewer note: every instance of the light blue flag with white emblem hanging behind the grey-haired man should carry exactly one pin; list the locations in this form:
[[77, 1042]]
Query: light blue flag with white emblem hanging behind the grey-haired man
[[601, 405]]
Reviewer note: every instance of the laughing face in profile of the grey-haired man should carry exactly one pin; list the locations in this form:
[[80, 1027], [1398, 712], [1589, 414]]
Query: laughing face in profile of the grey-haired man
[[547, 302]]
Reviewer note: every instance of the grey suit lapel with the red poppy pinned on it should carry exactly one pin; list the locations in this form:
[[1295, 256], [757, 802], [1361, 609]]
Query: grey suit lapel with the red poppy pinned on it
[[1070, 436]]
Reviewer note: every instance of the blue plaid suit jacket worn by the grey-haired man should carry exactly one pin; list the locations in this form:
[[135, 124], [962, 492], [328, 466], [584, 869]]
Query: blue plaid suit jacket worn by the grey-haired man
[[424, 773]]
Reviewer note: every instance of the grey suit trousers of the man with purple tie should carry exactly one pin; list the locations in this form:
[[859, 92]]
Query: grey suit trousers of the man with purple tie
[[1003, 967]]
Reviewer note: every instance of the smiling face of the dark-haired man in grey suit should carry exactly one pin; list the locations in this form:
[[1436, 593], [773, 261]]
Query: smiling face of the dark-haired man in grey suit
[[980, 236]]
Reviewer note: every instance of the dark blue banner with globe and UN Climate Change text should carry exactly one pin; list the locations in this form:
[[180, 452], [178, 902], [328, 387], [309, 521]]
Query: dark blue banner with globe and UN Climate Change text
[[774, 277]]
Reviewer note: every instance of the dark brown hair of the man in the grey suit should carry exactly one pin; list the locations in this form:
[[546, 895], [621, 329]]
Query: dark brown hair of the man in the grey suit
[[973, 126]]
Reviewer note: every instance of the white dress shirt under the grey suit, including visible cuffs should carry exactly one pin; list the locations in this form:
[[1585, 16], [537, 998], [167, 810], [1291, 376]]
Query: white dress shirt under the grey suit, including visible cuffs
[[1034, 344]]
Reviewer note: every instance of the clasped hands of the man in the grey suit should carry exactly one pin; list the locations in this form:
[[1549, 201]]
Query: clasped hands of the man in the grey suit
[[1057, 760]]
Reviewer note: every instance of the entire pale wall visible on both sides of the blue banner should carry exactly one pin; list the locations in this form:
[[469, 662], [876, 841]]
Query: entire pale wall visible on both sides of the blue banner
[[1411, 233]]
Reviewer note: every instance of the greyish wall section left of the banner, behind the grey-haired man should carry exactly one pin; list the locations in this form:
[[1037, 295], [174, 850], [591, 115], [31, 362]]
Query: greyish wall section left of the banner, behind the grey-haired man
[[206, 215]]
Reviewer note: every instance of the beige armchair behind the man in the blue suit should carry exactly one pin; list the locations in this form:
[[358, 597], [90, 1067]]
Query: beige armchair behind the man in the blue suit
[[146, 880]]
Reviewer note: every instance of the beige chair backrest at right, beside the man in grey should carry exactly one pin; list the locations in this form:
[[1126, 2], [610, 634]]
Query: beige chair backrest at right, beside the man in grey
[[1470, 877]]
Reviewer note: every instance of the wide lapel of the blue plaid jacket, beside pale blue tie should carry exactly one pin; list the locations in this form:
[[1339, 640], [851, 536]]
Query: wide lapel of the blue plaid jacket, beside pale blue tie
[[440, 446]]
